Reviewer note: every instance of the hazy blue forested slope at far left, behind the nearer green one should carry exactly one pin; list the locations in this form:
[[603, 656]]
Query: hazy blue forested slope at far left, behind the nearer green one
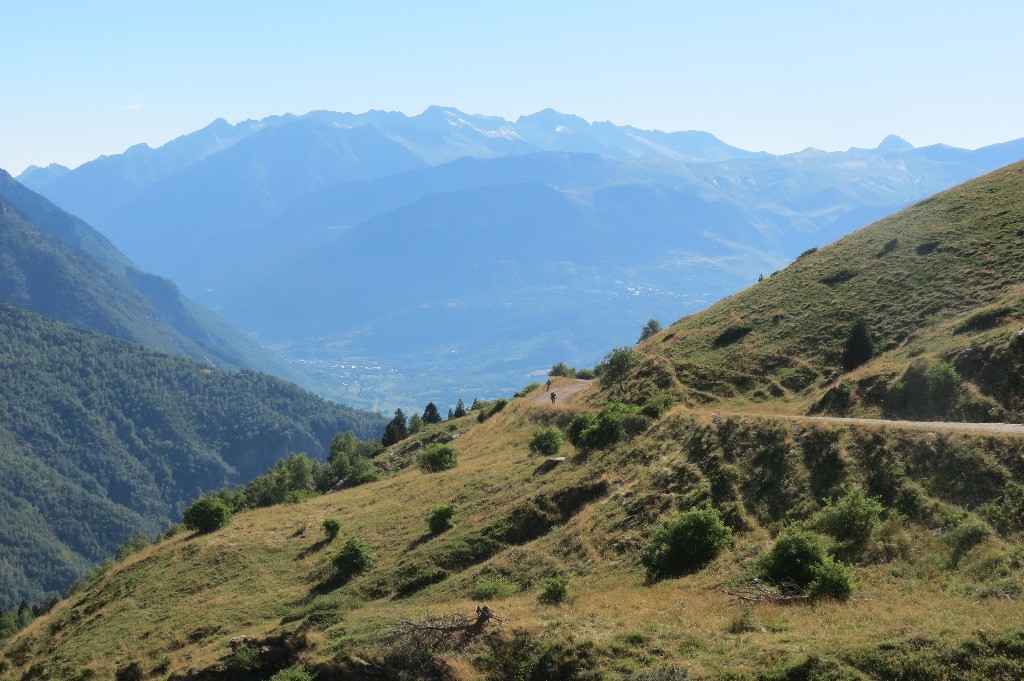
[[57, 266]]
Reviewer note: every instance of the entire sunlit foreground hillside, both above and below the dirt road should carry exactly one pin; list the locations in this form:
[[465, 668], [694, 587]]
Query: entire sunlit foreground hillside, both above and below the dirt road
[[656, 525]]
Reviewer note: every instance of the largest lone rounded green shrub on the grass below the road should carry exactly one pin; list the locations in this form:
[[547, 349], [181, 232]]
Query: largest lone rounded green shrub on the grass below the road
[[686, 543]]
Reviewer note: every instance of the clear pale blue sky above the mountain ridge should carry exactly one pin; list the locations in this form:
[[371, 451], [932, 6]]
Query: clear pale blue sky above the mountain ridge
[[80, 79]]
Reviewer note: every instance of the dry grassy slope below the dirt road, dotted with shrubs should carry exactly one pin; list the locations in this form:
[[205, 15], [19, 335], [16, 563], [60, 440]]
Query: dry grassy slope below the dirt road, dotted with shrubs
[[942, 564]]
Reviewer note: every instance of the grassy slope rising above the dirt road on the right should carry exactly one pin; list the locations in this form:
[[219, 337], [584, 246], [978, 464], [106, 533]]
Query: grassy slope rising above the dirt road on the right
[[937, 282]]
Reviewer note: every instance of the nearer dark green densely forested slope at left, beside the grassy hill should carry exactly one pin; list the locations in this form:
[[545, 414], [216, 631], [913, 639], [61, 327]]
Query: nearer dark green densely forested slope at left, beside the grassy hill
[[101, 441]]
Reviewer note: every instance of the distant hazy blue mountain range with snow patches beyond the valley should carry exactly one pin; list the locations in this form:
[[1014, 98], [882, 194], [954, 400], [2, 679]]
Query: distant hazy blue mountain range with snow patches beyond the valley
[[330, 235]]
